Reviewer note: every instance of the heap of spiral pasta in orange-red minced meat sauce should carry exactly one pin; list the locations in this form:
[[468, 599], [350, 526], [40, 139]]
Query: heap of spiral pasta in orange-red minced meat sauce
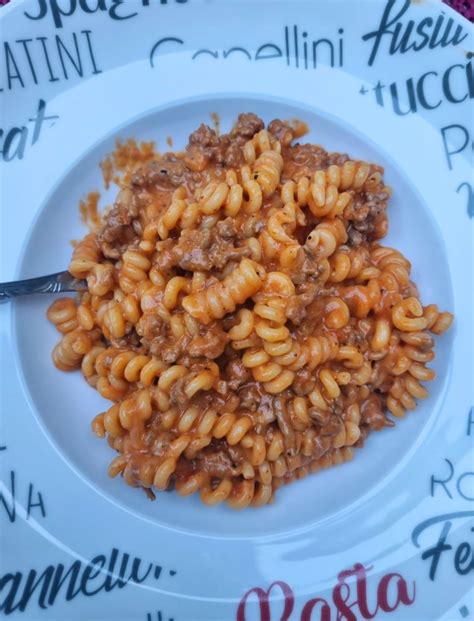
[[242, 316]]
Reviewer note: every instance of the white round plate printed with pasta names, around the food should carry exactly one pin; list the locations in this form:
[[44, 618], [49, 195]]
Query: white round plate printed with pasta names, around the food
[[160, 73]]
